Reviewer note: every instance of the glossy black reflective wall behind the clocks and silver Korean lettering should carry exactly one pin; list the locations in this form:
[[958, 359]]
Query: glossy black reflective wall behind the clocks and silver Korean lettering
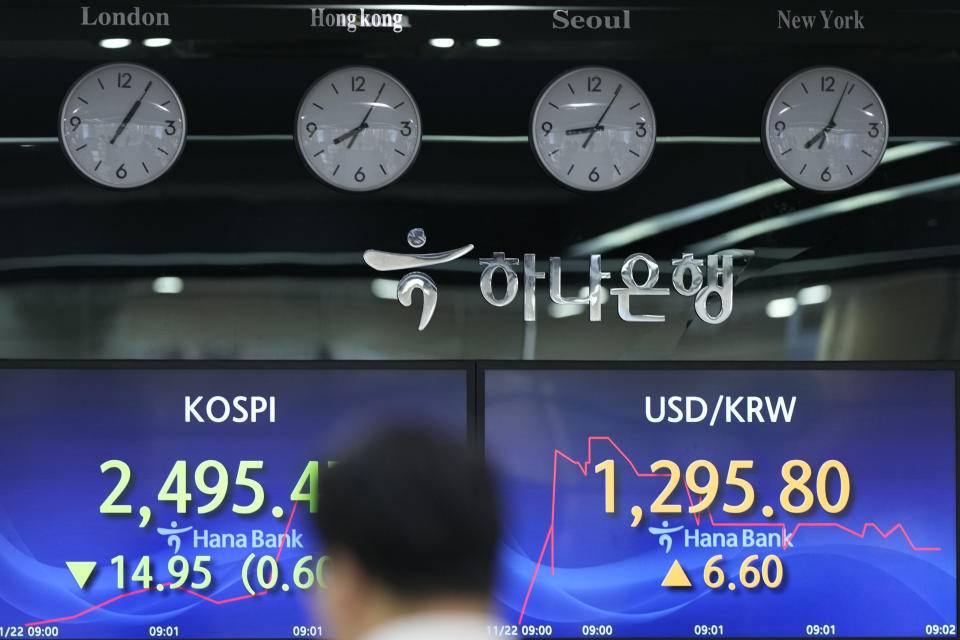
[[267, 262]]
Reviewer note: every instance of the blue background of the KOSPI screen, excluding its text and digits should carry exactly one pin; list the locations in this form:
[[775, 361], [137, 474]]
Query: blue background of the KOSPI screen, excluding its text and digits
[[58, 426]]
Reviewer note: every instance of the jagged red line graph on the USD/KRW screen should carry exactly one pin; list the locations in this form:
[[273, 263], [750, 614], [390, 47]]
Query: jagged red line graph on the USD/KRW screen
[[584, 468]]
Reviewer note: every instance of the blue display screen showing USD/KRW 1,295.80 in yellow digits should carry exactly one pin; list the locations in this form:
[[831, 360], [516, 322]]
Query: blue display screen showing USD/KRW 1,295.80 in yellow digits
[[725, 503]]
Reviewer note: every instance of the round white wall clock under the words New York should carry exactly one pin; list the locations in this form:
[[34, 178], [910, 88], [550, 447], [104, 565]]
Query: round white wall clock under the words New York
[[825, 129]]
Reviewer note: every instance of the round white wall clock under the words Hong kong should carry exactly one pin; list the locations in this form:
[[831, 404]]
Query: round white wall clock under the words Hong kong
[[358, 128]]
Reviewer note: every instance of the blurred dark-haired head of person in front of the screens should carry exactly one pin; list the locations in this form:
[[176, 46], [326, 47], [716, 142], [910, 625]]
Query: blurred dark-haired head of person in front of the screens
[[410, 523]]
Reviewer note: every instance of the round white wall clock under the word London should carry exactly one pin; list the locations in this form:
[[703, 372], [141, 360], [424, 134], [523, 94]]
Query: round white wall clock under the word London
[[122, 125]]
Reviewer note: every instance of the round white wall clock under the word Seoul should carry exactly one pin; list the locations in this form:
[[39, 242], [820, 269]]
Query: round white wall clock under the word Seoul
[[593, 129]]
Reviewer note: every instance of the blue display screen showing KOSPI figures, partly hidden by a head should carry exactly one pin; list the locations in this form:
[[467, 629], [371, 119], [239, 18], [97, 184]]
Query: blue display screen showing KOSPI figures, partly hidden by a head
[[172, 503]]
